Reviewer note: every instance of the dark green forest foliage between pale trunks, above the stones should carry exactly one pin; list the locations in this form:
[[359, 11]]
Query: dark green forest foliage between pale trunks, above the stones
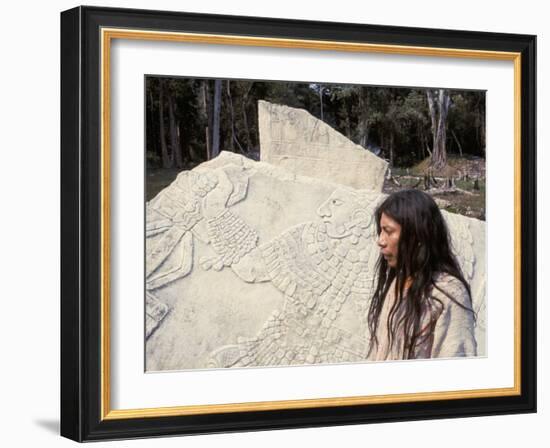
[[392, 121]]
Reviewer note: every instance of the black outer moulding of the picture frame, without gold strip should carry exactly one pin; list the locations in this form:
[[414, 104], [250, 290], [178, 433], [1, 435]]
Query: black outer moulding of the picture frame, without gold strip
[[81, 223]]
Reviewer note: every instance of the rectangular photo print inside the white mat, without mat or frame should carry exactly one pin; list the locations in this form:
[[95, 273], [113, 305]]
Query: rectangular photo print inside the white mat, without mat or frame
[[296, 223]]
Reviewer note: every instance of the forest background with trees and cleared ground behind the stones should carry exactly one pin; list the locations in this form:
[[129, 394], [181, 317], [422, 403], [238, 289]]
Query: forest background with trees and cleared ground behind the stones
[[433, 139]]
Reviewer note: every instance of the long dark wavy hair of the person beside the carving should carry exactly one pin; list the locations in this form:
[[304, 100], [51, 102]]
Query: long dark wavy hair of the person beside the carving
[[424, 252]]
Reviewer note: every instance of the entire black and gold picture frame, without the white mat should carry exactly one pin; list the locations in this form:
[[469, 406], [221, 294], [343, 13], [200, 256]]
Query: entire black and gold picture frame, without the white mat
[[87, 387]]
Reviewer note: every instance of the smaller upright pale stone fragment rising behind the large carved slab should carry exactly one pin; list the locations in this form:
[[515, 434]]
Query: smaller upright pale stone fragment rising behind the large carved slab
[[302, 144]]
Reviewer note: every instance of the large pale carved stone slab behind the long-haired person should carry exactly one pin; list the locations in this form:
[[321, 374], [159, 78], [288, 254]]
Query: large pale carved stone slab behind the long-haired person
[[249, 265]]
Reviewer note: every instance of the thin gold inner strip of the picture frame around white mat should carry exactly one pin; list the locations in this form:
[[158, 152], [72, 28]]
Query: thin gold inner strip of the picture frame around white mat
[[107, 35]]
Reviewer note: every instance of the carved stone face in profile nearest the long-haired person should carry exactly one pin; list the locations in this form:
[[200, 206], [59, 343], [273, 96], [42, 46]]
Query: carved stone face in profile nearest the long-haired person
[[337, 211]]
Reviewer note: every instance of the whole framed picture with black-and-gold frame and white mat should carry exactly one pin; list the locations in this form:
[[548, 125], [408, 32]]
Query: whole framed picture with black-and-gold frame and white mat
[[274, 223]]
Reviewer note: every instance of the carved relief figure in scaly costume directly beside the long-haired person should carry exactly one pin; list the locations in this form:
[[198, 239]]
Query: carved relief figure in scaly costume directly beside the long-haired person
[[318, 266]]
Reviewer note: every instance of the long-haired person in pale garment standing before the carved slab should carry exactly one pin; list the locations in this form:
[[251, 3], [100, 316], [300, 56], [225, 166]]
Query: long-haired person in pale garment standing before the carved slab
[[422, 306]]
